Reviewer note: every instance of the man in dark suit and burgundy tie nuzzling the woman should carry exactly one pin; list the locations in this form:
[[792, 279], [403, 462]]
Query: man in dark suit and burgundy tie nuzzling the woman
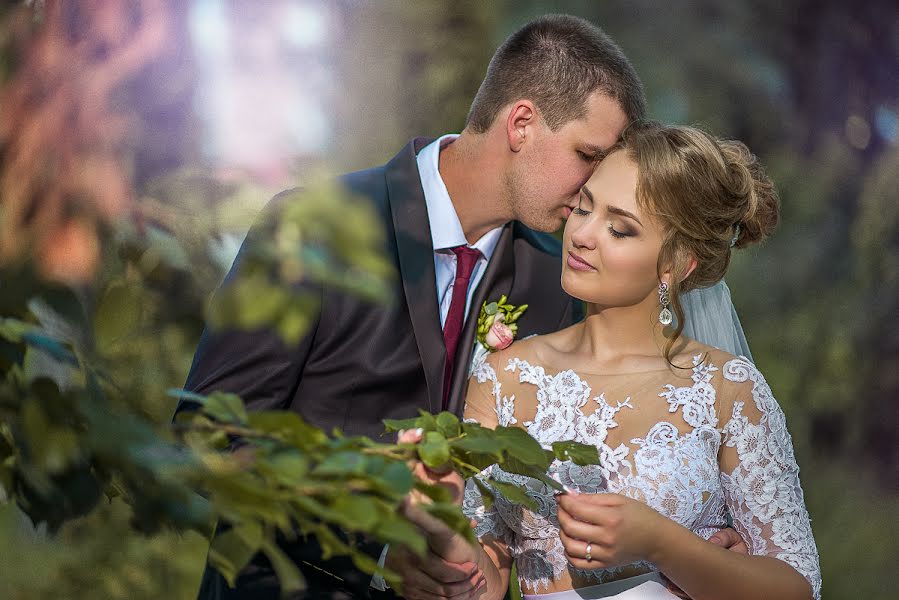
[[467, 219]]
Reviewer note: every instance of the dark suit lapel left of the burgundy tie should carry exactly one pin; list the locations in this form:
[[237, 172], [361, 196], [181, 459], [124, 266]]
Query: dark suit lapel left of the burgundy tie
[[416, 257]]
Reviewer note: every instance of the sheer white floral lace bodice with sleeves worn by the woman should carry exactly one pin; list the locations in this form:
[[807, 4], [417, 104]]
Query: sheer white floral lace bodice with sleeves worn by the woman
[[697, 447]]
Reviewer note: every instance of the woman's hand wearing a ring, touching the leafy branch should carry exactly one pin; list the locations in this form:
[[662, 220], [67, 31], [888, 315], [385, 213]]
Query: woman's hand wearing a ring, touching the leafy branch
[[620, 530]]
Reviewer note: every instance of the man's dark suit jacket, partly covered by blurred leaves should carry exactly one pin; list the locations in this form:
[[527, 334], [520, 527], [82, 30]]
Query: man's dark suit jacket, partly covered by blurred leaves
[[361, 363]]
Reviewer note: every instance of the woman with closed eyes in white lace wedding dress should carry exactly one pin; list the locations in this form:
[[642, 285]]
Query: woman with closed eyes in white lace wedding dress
[[688, 434]]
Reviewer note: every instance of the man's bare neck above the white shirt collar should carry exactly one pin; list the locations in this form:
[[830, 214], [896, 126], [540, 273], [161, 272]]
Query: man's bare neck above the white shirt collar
[[473, 177]]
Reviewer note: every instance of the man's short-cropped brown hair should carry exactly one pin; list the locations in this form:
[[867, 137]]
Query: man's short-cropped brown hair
[[556, 62]]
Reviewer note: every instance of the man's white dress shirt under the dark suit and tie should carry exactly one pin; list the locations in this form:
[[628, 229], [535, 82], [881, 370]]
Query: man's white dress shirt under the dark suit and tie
[[446, 233]]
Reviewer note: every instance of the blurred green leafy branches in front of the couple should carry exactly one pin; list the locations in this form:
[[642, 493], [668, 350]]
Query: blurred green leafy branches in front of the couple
[[75, 431]]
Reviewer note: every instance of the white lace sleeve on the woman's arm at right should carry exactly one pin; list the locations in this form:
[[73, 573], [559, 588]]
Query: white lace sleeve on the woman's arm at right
[[760, 476]]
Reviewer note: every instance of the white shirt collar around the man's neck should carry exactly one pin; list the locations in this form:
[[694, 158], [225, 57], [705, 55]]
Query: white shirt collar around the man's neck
[[446, 230]]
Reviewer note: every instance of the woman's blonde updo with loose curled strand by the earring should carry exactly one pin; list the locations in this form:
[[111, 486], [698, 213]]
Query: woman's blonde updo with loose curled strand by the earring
[[710, 195]]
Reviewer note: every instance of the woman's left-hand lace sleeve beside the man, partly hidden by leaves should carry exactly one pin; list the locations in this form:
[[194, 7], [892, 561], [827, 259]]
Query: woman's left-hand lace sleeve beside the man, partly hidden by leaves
[[484, 405]]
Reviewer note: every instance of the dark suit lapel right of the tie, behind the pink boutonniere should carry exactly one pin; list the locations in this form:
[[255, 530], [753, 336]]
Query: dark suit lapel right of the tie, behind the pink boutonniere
[[497, 280]]
